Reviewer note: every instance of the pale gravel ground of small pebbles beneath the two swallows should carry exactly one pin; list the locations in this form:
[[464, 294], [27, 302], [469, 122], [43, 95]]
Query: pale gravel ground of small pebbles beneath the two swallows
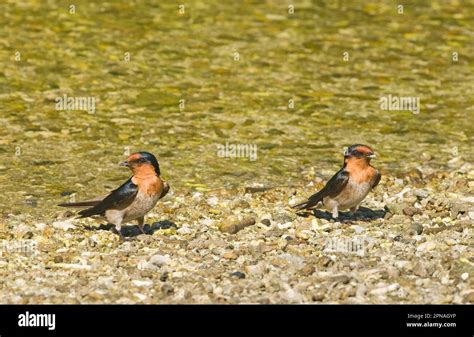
[[411, 242]]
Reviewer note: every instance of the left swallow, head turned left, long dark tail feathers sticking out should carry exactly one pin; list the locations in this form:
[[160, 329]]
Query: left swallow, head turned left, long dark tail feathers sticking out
[[132, 200]]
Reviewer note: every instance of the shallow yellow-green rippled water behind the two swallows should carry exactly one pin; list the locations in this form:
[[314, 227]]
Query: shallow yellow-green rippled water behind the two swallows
[[47, 154]]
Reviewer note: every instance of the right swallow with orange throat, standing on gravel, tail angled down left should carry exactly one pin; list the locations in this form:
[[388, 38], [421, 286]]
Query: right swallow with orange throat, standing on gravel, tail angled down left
[[350, 185]]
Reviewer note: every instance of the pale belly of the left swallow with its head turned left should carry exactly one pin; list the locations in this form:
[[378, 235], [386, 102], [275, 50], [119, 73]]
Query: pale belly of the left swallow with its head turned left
[[139, 207]]
